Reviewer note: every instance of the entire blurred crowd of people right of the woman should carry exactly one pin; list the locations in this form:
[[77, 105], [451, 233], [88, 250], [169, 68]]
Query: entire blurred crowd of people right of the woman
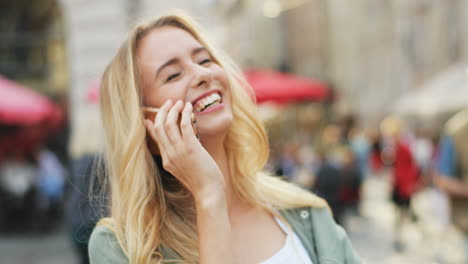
[[345, 156]]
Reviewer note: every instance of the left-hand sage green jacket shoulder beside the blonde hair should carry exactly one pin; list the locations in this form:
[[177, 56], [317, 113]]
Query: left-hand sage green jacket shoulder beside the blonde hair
[[104, 246]]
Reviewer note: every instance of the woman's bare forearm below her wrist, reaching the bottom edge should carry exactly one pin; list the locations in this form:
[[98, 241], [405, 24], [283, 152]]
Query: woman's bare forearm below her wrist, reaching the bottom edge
[[214, 230]]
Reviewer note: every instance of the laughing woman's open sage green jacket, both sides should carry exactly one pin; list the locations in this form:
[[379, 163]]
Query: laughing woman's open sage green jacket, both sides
[[324, 241]]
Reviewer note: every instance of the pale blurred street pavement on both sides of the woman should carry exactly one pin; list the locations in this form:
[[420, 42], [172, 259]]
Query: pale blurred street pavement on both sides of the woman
[[371, 234]]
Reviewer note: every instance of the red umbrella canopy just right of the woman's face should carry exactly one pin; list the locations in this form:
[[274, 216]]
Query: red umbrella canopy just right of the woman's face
[[279, 87]]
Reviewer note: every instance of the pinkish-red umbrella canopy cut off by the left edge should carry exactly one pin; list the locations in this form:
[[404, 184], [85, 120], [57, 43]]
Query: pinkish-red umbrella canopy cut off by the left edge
[[22, 106]]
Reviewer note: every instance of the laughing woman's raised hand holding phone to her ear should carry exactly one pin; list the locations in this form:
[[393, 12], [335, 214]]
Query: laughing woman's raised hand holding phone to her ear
[[182, 154]]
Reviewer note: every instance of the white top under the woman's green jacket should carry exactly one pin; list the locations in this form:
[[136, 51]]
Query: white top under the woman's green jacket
[[293, 252]]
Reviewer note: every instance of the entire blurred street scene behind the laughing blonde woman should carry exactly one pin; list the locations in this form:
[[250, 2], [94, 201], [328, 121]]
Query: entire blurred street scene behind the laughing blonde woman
[[365, 103]]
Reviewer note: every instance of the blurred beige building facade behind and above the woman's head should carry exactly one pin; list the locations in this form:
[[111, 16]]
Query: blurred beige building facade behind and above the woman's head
[[370, 51]]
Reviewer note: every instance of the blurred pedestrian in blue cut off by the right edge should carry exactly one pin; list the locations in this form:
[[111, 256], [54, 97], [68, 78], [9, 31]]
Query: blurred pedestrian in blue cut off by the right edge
[[453, 170]]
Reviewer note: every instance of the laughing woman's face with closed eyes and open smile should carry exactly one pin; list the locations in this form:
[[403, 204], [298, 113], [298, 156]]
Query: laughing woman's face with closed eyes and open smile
[[174, 65]]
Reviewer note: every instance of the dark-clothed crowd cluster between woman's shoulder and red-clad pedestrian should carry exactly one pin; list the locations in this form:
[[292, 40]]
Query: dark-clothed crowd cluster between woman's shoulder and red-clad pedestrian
[[334, 166]]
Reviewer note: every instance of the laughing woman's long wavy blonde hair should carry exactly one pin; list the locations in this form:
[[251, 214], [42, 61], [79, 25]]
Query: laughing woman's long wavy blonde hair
[[147, 216]]
